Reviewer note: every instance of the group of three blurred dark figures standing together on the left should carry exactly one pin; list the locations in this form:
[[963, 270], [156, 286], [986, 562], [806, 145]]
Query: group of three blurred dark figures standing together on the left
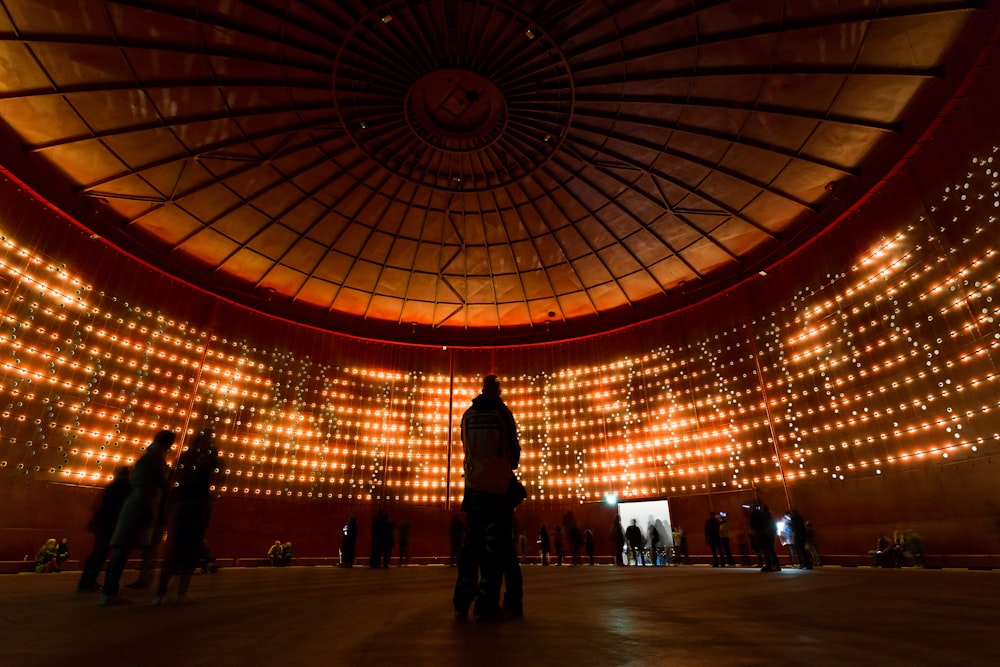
[[138, 506]]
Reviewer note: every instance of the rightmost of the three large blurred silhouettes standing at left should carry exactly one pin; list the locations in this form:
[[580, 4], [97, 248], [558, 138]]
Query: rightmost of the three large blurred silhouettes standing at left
[[189, 510]]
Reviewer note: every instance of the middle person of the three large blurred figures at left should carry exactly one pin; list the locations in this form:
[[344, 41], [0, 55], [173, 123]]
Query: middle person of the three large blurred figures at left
[[141, 512]]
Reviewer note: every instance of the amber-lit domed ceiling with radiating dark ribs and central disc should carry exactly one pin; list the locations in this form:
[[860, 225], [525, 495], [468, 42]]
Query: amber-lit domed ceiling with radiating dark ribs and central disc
[[470, 171]]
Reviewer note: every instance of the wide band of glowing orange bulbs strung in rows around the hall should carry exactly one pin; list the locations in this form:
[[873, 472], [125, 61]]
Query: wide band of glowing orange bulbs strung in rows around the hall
[[848, 371]]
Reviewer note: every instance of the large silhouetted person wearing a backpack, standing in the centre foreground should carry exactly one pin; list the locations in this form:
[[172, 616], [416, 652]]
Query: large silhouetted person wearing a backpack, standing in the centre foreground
[[492, 452]]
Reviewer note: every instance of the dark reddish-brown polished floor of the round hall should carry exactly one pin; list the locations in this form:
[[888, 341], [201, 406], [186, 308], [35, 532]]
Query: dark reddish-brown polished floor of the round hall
[[603, 615]]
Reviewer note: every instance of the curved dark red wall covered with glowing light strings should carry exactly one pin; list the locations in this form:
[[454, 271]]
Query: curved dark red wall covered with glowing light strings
[[857, 380]]
